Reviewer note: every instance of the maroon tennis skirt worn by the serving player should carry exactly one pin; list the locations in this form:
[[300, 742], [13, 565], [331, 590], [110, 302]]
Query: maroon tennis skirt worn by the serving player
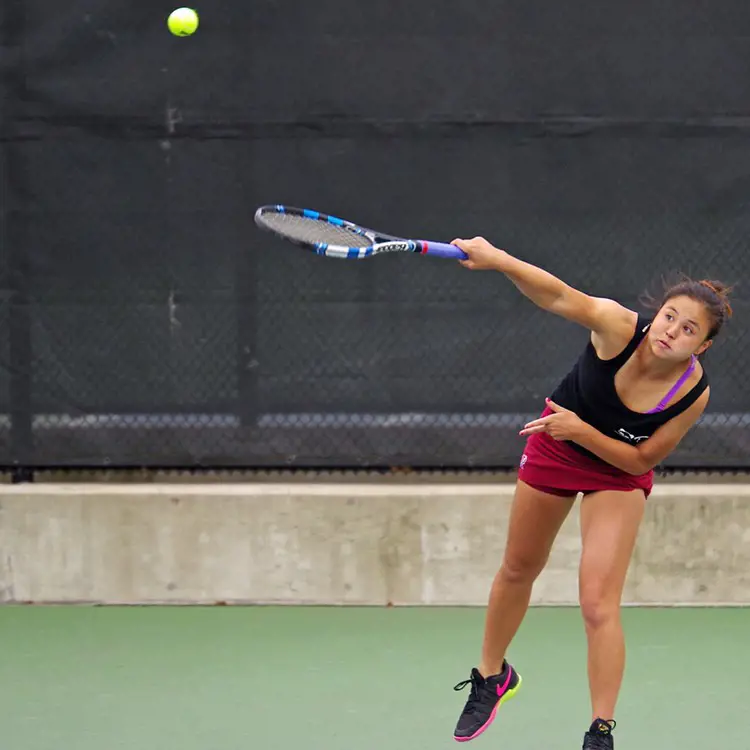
[[554, 467]]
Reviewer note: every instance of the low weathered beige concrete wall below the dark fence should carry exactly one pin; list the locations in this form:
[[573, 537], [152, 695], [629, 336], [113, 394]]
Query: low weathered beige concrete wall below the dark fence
[[340, 543]]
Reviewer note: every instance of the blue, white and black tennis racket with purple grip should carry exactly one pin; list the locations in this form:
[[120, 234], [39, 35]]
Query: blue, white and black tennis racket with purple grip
[[337, 238]]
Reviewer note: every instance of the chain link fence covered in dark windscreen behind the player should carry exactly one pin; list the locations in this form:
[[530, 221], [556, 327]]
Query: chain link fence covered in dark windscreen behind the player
[[146, 322]]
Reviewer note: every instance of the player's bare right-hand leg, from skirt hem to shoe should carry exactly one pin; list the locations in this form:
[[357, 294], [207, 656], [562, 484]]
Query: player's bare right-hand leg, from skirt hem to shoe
[[609, 527]]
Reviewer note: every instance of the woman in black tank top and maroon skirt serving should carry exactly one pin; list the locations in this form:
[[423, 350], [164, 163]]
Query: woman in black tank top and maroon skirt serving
[[635, 391]]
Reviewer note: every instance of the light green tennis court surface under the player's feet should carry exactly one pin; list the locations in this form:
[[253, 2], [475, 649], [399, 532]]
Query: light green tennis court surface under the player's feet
[[190, 678]]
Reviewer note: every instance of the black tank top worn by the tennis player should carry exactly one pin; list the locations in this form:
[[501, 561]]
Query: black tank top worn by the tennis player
[[589, 390]]
